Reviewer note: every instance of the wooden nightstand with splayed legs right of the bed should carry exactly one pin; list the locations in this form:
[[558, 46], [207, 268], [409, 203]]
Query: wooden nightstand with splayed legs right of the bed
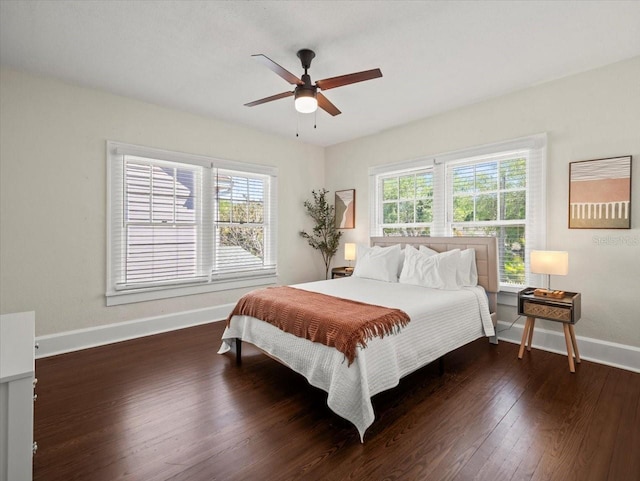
[[565, 310]]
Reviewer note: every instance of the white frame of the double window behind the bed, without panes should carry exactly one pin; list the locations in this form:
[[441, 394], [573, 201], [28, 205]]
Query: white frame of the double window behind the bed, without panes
[[534, 147]]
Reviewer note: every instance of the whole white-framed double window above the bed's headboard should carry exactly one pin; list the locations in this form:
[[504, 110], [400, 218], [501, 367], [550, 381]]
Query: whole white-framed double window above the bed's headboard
[[494, 190]]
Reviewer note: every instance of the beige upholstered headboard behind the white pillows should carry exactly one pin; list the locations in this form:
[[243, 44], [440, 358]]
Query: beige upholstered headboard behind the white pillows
[[486, 256]]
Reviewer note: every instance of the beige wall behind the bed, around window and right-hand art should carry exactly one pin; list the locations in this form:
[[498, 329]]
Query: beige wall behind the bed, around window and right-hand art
[[587, 116]]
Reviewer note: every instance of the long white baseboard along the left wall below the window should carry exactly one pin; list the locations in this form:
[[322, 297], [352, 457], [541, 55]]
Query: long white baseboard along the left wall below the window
[[70, 341]]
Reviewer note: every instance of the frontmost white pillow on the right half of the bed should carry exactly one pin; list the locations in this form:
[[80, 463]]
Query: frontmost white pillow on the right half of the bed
[[438, 271]]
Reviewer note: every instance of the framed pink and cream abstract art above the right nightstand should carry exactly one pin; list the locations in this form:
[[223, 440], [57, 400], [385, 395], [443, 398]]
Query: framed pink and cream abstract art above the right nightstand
[[600, 193]]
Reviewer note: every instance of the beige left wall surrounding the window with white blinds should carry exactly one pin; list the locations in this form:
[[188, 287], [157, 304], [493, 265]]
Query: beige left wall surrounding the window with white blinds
[[53, 196]]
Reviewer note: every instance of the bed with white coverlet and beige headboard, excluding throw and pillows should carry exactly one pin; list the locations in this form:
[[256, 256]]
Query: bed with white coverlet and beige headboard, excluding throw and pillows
[[440, 322]]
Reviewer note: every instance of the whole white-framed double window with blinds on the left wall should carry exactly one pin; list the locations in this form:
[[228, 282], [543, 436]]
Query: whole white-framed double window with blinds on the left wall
[[182, 224]]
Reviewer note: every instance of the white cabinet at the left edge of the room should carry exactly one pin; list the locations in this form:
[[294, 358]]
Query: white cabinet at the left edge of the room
[[17, 369]]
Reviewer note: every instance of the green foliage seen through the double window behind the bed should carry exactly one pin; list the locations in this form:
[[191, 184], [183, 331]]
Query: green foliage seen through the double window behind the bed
[[487, 199]]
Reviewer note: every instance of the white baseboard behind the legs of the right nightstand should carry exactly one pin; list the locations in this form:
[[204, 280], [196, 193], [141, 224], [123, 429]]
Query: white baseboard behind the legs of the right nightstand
[[602, 352]]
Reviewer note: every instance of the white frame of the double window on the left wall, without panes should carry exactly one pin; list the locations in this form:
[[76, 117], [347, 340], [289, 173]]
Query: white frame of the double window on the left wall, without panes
[[212, 282]]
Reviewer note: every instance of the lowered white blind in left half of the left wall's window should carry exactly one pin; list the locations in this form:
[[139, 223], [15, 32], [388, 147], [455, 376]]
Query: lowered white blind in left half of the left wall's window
[[162, 228]]
